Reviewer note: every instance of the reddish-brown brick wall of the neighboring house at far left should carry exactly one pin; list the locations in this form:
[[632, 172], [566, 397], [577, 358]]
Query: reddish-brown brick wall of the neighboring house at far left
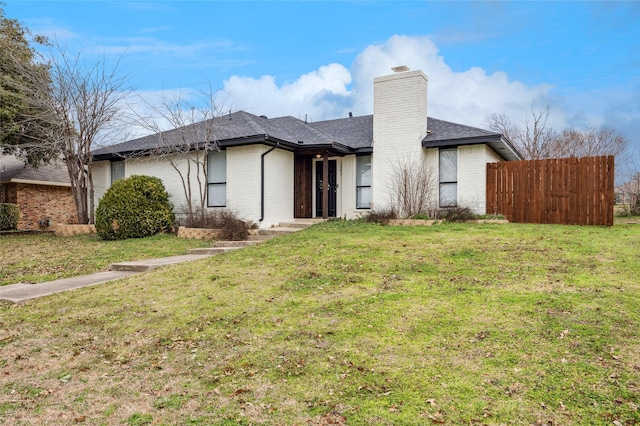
[[37, 202]]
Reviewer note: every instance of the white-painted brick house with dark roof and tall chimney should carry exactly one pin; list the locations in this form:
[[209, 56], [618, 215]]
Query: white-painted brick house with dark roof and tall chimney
[[272, 170]]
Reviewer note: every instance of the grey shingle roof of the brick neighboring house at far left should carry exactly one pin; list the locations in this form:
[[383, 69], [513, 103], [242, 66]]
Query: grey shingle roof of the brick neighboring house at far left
[[15, 170]]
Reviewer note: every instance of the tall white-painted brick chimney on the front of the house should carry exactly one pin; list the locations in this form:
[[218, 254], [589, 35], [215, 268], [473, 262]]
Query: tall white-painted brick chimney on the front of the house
[[399, 125]]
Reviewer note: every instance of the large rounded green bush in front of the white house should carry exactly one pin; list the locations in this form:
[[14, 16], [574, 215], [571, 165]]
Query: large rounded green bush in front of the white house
[[135, 207]]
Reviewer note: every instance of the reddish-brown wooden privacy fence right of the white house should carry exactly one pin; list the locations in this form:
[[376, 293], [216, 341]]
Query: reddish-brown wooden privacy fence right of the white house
[[569, 191]]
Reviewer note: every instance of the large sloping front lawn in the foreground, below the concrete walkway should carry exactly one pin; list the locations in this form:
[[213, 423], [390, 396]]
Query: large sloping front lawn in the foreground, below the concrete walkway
[[346, 323]]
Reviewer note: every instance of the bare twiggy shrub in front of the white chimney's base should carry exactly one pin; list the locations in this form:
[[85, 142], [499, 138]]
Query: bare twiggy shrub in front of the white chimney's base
[[413, 186]]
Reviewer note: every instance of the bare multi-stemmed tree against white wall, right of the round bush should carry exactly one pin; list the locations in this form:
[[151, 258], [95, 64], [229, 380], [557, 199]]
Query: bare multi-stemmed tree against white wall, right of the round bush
[[192, 136]]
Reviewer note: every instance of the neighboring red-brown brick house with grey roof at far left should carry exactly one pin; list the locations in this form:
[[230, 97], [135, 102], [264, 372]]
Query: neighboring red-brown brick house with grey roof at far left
[[43, 194]]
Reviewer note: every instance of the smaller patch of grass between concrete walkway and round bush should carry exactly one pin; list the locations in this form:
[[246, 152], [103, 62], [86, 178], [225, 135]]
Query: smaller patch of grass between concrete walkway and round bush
[[40, 258]]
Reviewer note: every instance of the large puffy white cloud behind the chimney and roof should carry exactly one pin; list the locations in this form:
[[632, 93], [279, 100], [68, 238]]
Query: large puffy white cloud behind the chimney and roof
[[459, 96]]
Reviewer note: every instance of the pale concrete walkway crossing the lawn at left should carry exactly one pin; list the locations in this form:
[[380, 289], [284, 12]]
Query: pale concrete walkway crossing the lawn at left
[[18, 293]]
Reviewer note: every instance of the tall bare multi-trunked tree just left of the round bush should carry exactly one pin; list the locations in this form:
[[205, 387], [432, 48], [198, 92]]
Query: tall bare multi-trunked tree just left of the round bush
[[87, 101]]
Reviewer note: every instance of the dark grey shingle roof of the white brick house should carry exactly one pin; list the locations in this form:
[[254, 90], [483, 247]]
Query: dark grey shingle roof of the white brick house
[[353, 134]]
